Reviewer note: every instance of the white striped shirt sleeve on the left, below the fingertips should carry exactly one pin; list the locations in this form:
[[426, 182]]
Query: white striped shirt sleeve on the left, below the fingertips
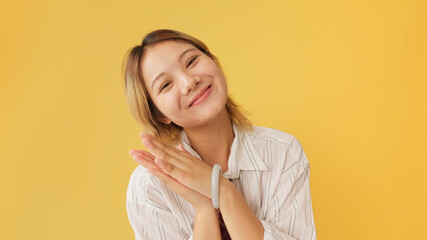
[[149, 218]]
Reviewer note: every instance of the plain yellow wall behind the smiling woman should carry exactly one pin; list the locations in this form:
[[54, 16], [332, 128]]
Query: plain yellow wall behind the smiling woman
[[347, 78]]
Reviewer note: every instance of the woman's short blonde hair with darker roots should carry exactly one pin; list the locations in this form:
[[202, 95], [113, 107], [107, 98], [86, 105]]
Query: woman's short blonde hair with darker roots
[[140, 103]]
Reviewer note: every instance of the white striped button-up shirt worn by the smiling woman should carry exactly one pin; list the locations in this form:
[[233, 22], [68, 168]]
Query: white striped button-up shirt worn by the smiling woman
[[267, 166]]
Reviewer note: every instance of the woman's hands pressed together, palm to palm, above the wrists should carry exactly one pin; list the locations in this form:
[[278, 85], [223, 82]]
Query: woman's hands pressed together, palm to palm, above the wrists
[[188, 176]]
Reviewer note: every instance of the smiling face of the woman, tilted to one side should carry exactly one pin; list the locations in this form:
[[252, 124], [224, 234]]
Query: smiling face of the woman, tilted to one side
[[186, 85]]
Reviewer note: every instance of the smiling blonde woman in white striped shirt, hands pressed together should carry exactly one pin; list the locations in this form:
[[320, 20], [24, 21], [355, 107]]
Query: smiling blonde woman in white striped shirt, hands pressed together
[[177, 91]]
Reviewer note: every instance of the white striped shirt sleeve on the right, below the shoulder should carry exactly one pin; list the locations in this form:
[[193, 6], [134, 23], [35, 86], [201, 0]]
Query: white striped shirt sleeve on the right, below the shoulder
[[292, 198]]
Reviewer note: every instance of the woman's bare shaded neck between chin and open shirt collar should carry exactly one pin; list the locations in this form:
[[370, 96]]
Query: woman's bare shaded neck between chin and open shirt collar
[[213, 140]]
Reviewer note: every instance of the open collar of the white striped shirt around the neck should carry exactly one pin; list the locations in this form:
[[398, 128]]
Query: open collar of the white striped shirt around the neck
[[243, 155]]
